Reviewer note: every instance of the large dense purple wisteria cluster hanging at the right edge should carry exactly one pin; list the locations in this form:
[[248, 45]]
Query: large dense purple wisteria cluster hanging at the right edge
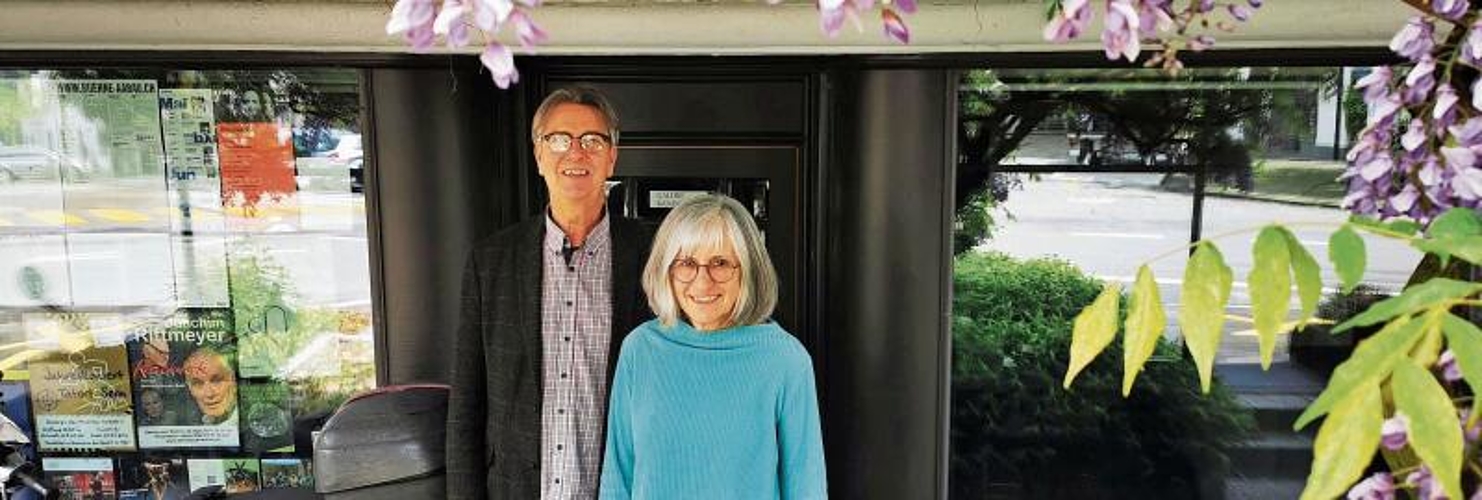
[[1419, 154]]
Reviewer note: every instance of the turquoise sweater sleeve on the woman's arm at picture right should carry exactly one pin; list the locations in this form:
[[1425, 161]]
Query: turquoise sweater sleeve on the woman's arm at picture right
[[803, 474]]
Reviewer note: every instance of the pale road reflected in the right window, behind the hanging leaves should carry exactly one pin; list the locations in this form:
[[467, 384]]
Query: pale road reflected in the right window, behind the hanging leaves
[[1111, 223]]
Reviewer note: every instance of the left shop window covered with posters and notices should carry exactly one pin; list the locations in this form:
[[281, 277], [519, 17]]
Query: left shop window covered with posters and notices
[[185, 274]]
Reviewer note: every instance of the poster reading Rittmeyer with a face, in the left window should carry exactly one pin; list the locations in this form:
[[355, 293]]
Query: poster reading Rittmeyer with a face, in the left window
[[186, 381]]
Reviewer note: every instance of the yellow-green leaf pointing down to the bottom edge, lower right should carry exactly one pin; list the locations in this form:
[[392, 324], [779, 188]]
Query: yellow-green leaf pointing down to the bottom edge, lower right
[[1345, 444]]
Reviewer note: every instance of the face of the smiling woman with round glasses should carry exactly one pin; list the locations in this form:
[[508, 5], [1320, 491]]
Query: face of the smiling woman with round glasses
[[706, 302]]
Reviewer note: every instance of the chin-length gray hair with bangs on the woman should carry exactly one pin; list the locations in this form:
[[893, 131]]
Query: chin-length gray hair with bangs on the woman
[[711, 220]]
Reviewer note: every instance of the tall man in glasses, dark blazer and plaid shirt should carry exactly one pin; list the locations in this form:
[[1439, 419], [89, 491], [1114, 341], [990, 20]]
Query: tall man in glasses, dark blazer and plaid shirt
[[546, 308]]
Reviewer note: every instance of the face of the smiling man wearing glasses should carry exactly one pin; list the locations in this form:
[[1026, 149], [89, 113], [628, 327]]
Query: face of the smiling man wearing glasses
[[577, 176]]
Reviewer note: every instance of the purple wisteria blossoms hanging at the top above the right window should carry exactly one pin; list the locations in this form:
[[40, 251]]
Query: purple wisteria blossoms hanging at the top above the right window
[[1133, 23]]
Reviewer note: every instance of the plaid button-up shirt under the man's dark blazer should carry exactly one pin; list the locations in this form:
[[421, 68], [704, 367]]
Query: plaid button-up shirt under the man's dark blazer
[[576, 330]]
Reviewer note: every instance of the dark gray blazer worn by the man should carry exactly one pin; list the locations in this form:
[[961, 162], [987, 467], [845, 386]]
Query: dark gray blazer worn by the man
[[494, 413]]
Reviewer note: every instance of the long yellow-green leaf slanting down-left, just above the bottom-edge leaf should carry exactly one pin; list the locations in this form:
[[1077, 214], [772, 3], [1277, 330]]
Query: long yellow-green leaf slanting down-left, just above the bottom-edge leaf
[[1370, 364]]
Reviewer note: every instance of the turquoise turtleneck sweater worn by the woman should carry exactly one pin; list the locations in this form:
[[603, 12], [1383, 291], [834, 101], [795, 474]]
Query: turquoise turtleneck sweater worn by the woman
[[722, 415]]
